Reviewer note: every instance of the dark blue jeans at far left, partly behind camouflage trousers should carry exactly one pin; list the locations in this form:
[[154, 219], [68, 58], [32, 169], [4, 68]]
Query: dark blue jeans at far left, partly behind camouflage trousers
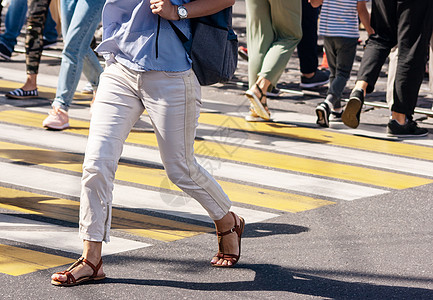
[[14, 21]]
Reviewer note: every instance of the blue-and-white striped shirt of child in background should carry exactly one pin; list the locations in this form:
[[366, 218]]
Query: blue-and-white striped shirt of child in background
[[339, 18]]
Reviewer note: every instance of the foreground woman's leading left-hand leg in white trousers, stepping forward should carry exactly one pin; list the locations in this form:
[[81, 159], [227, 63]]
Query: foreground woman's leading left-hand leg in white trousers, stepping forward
[[115, 111]]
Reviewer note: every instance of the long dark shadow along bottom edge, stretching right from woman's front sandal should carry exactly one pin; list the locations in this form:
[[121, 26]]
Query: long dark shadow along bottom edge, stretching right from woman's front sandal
[[276, 278]]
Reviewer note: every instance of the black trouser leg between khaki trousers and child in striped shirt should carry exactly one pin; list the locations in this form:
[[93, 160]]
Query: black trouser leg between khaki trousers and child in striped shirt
[[307, 47]]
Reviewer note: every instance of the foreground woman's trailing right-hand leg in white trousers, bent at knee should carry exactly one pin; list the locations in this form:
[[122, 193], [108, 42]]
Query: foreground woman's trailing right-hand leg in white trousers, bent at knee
[[173, 103]]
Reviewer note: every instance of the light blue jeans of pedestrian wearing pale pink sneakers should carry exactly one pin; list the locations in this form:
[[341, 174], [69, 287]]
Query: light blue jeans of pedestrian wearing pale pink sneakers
[[80, 18]]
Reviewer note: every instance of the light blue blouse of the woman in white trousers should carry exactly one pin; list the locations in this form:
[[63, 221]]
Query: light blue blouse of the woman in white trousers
[[132, 34]]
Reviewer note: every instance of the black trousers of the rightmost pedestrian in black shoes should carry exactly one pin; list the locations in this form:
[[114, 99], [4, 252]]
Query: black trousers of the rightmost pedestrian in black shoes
[[407, 24]]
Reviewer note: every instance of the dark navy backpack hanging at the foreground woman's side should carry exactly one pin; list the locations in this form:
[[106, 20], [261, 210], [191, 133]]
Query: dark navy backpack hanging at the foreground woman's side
[[213, 47]]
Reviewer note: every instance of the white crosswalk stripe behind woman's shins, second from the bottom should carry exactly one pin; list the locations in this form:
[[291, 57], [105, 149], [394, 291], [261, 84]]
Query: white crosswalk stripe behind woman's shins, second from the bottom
[[126, 196]]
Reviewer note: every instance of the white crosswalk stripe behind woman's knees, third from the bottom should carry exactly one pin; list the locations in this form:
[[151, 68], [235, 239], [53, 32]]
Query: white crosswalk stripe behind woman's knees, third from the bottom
[[228, 170]]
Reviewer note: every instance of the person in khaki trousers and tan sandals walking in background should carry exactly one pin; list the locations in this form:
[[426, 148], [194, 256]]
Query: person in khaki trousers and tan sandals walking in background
[[273, 32]]
